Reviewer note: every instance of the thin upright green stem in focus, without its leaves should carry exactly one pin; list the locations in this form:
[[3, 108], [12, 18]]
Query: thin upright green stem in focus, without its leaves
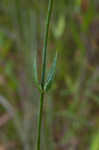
[[43, 72]]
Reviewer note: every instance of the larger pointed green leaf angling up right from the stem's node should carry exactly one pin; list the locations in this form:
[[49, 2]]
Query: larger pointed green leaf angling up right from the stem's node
[[51, 74]]
